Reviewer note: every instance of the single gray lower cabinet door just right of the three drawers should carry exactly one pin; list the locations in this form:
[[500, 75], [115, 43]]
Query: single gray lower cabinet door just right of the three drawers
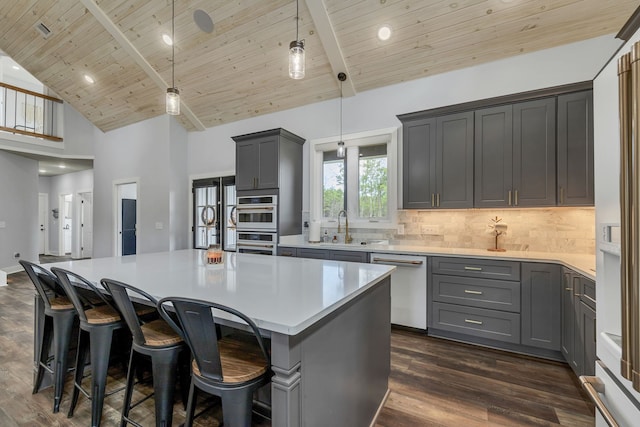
[[541, 305]]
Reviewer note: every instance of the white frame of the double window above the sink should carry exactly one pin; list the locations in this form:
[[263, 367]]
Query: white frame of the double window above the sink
[[352, 142]]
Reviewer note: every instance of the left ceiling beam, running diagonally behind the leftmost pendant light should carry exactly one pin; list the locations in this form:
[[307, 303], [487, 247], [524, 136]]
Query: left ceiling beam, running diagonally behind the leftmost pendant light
[[128, 47]]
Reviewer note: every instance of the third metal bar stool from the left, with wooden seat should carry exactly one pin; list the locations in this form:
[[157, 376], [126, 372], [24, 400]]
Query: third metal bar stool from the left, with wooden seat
[[154, 339]]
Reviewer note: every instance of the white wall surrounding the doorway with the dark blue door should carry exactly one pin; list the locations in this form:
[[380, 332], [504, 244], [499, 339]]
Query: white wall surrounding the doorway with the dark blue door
[[144, 152]]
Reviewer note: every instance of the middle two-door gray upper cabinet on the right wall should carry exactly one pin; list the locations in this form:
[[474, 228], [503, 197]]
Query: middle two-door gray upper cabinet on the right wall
[[516, 155]]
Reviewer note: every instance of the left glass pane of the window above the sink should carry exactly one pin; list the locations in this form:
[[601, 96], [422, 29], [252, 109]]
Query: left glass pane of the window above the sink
[[332, 184]]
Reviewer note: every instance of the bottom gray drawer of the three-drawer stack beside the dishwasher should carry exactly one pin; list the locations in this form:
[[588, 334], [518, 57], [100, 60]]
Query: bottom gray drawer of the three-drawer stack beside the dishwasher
[[496, 325]]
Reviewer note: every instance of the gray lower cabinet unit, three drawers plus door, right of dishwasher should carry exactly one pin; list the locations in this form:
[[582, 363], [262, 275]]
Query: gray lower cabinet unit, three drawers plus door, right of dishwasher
[[503, 304]]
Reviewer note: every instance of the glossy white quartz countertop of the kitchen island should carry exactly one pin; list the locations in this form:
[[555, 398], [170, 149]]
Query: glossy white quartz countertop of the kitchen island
[[283, 295]]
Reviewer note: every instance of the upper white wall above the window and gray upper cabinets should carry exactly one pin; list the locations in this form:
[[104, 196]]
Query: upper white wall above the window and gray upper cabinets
[[213, 150]]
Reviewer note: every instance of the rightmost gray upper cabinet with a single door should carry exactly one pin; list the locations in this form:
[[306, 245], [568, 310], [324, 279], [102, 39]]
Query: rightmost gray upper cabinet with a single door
[[575, 149]]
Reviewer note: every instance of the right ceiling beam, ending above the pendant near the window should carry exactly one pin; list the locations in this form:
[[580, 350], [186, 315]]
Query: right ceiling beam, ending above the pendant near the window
[[330, 43]]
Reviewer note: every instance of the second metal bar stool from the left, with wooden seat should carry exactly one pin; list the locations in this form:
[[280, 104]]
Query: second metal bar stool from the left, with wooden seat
[[97, 325]]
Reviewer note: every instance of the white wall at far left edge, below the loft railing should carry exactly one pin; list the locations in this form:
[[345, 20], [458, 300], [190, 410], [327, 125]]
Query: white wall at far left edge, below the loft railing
[[18, 210]]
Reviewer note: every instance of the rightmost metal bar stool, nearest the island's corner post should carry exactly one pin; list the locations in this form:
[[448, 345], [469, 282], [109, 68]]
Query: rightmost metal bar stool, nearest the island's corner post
[[228, 367]]
